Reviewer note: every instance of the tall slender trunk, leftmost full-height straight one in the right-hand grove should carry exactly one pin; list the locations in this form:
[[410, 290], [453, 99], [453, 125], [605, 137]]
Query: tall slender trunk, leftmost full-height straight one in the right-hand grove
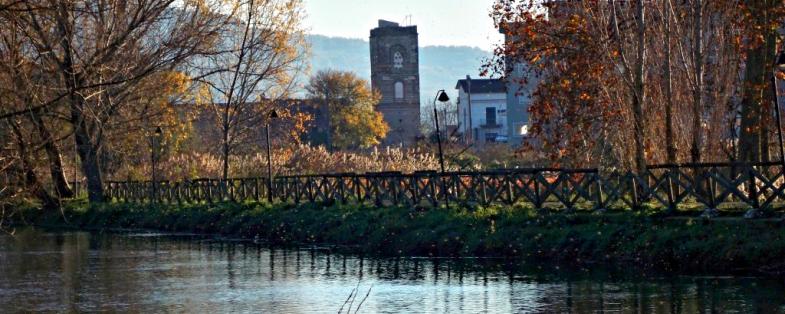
[[639, 94]]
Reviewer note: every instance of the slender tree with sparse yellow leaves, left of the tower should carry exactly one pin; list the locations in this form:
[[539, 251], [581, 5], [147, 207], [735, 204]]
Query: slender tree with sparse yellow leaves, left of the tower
[[261, 57]]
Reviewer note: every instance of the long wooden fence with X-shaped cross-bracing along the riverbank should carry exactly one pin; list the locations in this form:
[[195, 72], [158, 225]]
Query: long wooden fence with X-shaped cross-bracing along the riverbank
[[737, 185]]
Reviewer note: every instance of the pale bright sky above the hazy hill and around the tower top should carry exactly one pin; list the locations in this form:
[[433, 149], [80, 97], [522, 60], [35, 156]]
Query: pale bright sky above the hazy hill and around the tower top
[[439, 22]]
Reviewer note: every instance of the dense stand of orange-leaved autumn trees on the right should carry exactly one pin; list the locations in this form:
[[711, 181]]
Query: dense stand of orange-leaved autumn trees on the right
[[681, 61]]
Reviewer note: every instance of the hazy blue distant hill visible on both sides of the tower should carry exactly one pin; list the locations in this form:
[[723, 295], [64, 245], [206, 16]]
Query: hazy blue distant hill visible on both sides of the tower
[[440, 66]]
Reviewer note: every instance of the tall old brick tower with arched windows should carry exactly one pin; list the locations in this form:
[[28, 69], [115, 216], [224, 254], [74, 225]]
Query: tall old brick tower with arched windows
[[395, 73]]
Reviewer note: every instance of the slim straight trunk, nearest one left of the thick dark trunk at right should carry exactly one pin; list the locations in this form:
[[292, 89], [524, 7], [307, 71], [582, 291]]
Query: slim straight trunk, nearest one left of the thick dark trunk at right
[[697, 92]]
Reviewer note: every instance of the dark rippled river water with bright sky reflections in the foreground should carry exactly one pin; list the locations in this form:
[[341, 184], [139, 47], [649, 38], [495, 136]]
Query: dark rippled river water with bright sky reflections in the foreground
[[76, 272]]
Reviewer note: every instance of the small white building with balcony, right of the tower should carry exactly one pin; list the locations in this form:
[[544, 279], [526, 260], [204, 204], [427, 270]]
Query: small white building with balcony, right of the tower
[[482, 110]]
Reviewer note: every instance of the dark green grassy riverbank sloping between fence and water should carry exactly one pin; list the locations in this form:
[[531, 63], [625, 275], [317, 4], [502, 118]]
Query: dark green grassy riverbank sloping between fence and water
[[617, 238]]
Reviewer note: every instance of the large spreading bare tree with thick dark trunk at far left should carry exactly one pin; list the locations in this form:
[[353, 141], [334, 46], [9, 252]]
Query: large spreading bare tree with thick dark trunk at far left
[[88, 53]]
